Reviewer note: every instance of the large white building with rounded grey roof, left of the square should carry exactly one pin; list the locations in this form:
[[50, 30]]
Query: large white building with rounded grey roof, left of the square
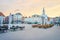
[[15, 19]]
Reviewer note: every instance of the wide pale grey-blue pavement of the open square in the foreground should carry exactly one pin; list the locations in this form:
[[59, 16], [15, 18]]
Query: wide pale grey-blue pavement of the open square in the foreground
[[32, 34]]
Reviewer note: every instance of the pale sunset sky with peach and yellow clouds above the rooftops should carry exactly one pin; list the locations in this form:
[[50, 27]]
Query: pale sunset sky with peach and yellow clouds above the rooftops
[[30, 7]]
